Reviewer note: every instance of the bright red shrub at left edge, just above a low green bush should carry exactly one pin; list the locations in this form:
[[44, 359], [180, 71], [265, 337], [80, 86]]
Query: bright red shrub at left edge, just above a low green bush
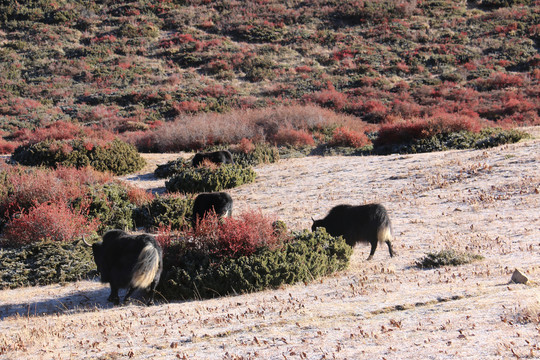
[[49, 221]]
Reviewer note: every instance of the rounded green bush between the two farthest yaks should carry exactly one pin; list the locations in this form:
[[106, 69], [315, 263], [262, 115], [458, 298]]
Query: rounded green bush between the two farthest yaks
[[202, 179]]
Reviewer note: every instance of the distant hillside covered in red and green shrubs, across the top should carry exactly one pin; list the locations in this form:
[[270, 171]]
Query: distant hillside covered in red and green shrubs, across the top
[[130, 66]]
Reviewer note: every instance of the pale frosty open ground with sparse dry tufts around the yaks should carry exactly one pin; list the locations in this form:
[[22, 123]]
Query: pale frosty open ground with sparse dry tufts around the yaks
[[485, 202]]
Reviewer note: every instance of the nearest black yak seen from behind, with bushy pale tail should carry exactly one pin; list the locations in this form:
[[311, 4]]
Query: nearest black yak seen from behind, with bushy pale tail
[[128, 261]]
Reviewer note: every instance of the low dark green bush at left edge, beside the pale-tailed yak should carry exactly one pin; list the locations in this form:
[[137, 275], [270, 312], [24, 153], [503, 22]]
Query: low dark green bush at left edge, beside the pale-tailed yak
[[45, 263]]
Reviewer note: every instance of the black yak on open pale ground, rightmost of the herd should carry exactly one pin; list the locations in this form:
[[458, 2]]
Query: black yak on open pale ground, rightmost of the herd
[[364, 223]]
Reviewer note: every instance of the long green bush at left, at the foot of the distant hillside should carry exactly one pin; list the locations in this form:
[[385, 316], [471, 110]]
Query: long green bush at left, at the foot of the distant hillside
[[117, 156]]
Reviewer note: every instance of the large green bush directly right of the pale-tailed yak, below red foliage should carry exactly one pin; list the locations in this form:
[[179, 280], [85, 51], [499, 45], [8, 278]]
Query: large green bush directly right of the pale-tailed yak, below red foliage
[[192, 274]]
